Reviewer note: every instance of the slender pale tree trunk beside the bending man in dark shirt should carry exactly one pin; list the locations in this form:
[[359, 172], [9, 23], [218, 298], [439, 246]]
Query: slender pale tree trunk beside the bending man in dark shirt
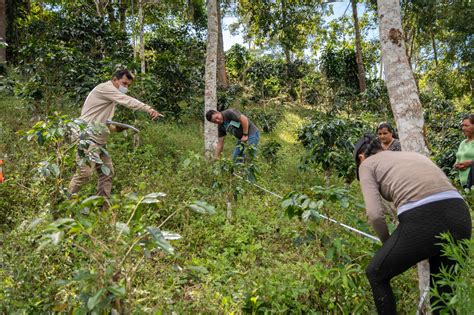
[[210, 96]]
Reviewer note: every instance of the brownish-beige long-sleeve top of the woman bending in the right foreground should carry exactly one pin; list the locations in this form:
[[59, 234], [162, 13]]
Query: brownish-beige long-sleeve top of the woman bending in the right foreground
[[400, 177]]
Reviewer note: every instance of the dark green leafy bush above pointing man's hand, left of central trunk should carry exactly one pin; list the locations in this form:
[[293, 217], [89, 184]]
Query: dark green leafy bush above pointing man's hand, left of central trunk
[[175, 70]]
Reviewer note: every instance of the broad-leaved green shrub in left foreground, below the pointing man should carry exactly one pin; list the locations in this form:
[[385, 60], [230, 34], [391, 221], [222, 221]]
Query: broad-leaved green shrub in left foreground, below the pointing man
[[112, 255]]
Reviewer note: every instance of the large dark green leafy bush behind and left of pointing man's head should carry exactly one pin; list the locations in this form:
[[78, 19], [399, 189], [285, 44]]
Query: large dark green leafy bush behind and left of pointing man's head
[[81, 48]]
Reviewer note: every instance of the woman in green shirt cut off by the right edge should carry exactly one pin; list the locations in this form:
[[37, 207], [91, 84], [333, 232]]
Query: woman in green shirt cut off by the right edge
[[465, 154]]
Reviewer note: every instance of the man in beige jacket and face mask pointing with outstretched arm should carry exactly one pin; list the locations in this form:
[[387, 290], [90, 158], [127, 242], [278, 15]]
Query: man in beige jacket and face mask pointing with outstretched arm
[[98, 108]]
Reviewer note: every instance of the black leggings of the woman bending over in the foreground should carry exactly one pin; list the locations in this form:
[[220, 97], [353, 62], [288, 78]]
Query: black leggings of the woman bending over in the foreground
[[415, 239]]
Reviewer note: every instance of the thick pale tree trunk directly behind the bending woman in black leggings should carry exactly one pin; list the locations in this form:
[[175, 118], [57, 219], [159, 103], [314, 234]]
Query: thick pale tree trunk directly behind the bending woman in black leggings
[[404, 99]]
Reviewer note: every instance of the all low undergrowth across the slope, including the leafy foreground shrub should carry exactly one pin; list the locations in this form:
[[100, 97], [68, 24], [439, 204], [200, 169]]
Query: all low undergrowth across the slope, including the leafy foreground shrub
[[248, 257]]
